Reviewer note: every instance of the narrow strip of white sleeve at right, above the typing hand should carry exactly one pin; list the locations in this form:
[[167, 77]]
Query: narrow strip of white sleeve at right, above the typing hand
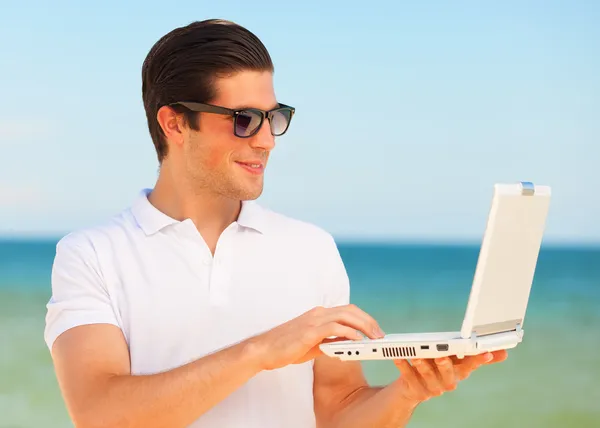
[[336, 278]]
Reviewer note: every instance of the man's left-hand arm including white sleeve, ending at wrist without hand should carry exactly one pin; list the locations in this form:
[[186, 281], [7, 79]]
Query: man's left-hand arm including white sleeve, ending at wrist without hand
[[91, 356]]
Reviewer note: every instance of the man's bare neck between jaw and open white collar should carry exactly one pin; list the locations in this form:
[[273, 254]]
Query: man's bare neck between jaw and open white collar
[[211, 213]]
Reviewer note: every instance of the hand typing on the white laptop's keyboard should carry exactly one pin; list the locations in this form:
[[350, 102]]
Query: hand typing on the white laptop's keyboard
[[298, 340]]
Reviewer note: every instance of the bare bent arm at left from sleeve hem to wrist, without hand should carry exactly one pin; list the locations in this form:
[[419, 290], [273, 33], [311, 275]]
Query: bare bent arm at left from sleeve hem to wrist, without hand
[[92, 367]]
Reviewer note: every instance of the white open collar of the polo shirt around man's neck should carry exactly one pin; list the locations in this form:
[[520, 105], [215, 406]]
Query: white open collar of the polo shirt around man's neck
[[152, 220]]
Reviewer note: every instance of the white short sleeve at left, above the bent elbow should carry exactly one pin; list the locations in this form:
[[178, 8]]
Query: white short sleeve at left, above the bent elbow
[[79, 294]]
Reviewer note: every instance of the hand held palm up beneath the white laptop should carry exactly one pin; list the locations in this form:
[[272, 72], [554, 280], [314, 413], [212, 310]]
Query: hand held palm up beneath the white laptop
[[423, 379]]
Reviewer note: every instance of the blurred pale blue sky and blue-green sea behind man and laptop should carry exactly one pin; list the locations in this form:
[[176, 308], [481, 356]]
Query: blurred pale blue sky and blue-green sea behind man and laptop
[[407, 114]]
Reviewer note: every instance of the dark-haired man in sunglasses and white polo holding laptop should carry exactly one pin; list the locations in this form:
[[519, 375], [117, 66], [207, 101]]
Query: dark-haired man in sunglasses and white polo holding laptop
[[196, 306]]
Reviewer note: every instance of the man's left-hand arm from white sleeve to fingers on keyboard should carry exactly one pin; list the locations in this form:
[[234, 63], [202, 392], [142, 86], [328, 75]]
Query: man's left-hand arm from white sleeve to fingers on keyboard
[[91, 356]]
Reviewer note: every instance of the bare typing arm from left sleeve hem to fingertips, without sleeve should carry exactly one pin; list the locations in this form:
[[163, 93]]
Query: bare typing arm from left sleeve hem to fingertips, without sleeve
[[92, 367]]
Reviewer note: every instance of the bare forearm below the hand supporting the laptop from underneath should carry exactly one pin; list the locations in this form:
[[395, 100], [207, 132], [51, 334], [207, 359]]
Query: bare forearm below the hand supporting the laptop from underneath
[[375, 407]]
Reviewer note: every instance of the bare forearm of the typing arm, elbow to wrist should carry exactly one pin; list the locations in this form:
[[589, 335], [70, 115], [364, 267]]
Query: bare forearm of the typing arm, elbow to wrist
[[174, 398]]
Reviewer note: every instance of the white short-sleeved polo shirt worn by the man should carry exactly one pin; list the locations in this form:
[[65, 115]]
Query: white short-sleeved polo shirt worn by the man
[[155, 278]]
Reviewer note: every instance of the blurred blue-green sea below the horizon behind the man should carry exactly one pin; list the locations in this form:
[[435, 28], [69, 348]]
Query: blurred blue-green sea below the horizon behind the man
[[552, 379]]
